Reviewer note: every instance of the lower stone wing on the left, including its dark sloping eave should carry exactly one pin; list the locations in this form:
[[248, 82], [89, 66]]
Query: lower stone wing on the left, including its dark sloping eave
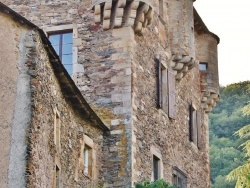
[[39, 95]]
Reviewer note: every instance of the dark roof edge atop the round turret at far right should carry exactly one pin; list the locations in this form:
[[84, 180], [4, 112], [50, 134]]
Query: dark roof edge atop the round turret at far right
[[201, 28]]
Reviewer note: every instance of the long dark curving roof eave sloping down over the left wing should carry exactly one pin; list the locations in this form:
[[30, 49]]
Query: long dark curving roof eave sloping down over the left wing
[[68, 87]]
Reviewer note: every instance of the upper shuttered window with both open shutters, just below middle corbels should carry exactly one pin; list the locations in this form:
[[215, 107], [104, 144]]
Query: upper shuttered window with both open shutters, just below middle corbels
[[165, 90]]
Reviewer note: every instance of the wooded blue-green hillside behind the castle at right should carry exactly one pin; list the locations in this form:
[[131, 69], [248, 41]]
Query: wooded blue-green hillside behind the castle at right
[[225, 119]]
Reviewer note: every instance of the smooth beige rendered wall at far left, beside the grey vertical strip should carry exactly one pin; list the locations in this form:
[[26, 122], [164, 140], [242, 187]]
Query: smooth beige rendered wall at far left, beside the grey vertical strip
[[9, 53]]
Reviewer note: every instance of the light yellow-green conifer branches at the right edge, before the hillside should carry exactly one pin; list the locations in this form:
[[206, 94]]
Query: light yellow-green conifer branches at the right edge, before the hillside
[[242, 173]]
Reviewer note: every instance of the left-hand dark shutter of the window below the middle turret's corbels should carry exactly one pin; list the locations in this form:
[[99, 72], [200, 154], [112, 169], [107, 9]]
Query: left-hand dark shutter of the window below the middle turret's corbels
[[159, 84]]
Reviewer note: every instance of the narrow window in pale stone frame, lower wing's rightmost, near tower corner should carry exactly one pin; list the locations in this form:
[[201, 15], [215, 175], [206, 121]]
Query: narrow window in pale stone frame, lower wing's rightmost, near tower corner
[[87, 154]]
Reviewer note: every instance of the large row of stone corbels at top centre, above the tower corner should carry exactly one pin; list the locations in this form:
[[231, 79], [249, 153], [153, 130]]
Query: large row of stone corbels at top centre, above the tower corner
[[121, 13]]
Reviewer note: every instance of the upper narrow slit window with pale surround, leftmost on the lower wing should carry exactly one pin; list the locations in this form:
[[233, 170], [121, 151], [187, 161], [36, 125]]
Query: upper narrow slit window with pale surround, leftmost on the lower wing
[[57, 132]]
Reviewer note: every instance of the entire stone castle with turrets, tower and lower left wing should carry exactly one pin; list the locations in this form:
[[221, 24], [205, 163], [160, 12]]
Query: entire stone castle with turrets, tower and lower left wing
[[105, 93]]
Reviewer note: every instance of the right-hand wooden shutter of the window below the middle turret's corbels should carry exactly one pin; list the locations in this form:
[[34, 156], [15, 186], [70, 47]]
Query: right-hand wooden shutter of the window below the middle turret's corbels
[[171, 94]]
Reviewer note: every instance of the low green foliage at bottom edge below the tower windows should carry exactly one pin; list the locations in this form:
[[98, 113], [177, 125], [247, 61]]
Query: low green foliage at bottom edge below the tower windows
[[156, 184]]
